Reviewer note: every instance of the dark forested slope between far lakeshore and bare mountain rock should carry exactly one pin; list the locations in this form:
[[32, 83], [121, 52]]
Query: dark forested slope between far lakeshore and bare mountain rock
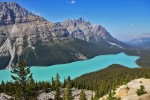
[[64, 52]]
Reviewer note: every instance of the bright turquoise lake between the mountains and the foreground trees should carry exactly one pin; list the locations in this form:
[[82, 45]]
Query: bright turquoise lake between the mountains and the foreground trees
[[77, 68]]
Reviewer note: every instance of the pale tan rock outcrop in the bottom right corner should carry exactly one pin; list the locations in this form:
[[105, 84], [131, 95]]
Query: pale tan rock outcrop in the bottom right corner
[[128, 91]]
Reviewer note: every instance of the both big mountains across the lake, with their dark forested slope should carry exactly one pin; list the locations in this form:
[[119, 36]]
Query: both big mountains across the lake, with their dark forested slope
[[39, 42]]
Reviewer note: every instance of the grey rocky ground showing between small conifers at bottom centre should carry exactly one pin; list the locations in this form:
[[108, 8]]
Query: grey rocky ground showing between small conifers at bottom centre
[[75, 94]]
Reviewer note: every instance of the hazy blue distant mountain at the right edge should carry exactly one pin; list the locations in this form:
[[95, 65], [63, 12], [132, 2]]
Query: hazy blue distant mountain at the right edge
[[141, 41]]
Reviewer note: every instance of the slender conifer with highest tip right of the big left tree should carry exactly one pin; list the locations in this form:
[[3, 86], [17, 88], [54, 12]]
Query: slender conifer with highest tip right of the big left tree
[[57, 86]]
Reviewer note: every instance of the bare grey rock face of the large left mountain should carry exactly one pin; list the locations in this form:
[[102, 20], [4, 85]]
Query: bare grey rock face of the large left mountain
[[20, 28]]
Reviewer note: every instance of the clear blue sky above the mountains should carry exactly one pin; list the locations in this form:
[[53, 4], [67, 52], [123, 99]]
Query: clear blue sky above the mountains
[[124, 19]]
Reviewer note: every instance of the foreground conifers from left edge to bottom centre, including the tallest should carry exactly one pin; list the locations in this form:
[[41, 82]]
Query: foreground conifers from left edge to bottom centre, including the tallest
[[25, 88]]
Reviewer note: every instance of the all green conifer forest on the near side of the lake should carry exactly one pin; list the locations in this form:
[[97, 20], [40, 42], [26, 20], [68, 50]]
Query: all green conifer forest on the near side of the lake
[[24, 87]]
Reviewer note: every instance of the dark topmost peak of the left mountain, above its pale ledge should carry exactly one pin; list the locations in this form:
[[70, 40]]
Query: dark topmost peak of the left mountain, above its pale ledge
[[11, 13]]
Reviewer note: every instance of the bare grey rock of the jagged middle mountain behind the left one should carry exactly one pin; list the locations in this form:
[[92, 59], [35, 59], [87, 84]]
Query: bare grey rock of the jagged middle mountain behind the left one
[[84, 30]]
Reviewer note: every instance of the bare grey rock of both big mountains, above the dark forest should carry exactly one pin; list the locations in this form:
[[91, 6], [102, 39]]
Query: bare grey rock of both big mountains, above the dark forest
[[20, 29]]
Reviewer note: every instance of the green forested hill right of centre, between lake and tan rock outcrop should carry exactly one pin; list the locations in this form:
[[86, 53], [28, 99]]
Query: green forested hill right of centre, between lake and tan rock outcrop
[[109, 78]]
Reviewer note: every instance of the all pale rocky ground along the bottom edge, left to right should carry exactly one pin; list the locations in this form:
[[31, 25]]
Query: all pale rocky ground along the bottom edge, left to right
[[124, 92]]
